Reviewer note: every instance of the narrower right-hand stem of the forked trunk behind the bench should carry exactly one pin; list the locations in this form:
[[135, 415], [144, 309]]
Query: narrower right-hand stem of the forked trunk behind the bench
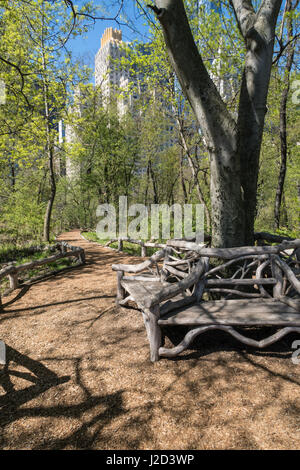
[[259, 32]]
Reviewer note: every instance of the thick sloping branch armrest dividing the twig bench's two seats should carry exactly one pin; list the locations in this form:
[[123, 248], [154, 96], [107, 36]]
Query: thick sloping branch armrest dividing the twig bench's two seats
[[172, 290]]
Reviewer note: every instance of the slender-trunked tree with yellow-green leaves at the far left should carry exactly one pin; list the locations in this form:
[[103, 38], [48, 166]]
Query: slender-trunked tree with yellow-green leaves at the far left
[[33, 51]]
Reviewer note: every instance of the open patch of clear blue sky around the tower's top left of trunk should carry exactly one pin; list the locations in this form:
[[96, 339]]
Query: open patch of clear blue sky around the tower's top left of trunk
[[85, 47]]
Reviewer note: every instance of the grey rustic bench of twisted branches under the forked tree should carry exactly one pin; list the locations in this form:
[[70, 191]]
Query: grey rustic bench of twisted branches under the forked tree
[[210, 288]]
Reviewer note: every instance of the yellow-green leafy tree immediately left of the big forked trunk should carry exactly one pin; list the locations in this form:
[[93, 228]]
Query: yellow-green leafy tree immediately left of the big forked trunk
[[156, 84]]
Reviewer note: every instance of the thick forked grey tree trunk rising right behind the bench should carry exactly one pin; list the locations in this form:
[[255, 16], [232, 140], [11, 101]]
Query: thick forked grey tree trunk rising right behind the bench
[[233, 149]]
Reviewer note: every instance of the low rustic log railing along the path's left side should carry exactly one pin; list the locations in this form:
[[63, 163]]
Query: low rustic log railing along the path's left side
[[64, 251]]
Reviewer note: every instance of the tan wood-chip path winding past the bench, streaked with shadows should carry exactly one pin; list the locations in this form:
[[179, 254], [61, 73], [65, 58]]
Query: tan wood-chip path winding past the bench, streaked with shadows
[[79, 376]]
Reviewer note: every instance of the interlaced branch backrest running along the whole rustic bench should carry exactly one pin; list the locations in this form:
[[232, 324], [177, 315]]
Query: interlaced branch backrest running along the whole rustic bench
[[242, 272]]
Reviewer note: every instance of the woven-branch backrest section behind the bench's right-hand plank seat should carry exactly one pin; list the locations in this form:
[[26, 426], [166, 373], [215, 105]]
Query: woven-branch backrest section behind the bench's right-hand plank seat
[[261, 272]]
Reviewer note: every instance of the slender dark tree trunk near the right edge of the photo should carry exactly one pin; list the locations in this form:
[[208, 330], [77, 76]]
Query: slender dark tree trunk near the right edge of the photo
[[282, 118]]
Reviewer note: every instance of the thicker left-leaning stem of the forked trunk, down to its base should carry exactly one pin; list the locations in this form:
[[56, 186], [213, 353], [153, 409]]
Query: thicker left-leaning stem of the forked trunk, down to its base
[[216, 123]]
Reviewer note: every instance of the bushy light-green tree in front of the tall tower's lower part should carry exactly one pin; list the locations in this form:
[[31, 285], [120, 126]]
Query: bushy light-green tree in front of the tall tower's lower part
[[102, 155]]
